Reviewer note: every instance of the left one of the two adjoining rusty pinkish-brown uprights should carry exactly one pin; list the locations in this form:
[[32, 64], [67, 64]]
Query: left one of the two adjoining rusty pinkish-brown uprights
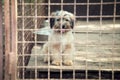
[[7, 36]]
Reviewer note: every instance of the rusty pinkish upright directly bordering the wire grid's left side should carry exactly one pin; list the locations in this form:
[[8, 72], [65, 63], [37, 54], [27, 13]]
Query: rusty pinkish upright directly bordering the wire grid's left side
[[14, 37]]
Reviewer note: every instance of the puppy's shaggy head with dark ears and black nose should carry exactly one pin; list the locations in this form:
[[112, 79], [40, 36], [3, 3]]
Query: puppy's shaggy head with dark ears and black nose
[[62, 21]]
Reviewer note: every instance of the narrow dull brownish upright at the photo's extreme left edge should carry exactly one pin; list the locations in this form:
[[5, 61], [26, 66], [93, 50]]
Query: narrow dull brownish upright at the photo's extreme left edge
[[1, 43]]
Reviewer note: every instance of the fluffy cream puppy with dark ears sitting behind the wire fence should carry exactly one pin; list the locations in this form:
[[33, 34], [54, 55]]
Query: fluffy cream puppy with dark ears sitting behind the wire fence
[[60, 47]]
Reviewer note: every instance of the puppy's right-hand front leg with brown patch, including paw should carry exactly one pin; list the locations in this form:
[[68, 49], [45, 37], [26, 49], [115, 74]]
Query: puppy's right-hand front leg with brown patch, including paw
[[68, 55]]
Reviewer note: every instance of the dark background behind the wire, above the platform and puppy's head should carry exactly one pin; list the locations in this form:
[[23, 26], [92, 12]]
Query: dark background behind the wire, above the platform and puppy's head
[[94, 9]]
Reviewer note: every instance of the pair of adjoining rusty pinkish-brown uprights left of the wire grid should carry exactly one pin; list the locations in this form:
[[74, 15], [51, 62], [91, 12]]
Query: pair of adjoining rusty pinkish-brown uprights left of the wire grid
[[10, 39]]
